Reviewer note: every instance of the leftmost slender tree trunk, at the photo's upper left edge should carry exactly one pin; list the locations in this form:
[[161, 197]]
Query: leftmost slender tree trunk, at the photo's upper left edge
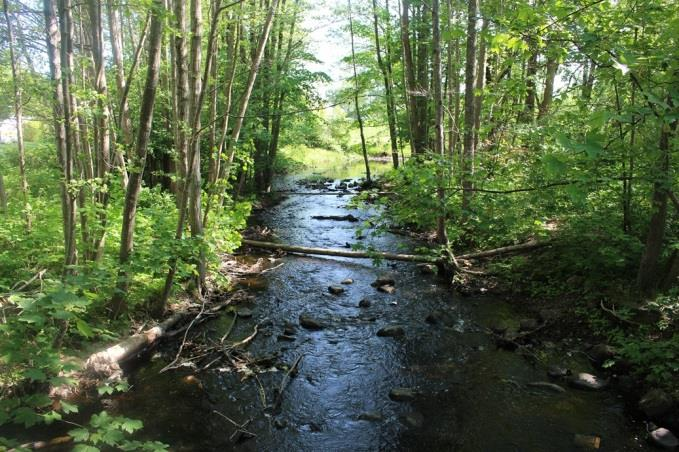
[[18, 116]]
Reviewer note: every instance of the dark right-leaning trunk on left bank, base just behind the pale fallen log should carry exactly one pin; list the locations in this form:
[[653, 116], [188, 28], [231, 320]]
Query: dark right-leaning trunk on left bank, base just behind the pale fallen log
[[119, 302]]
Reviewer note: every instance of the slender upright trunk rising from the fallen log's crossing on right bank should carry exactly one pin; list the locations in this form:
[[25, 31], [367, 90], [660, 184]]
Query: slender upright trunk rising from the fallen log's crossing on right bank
[[439, 147]]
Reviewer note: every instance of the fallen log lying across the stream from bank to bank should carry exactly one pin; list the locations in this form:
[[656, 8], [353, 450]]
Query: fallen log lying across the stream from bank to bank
[[528, 246]]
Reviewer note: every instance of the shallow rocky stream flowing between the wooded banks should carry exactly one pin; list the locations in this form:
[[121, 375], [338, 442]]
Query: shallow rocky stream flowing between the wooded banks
[[463, 394]]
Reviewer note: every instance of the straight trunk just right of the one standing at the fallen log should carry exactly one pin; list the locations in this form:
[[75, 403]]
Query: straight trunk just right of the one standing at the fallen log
[[469, 107]]
